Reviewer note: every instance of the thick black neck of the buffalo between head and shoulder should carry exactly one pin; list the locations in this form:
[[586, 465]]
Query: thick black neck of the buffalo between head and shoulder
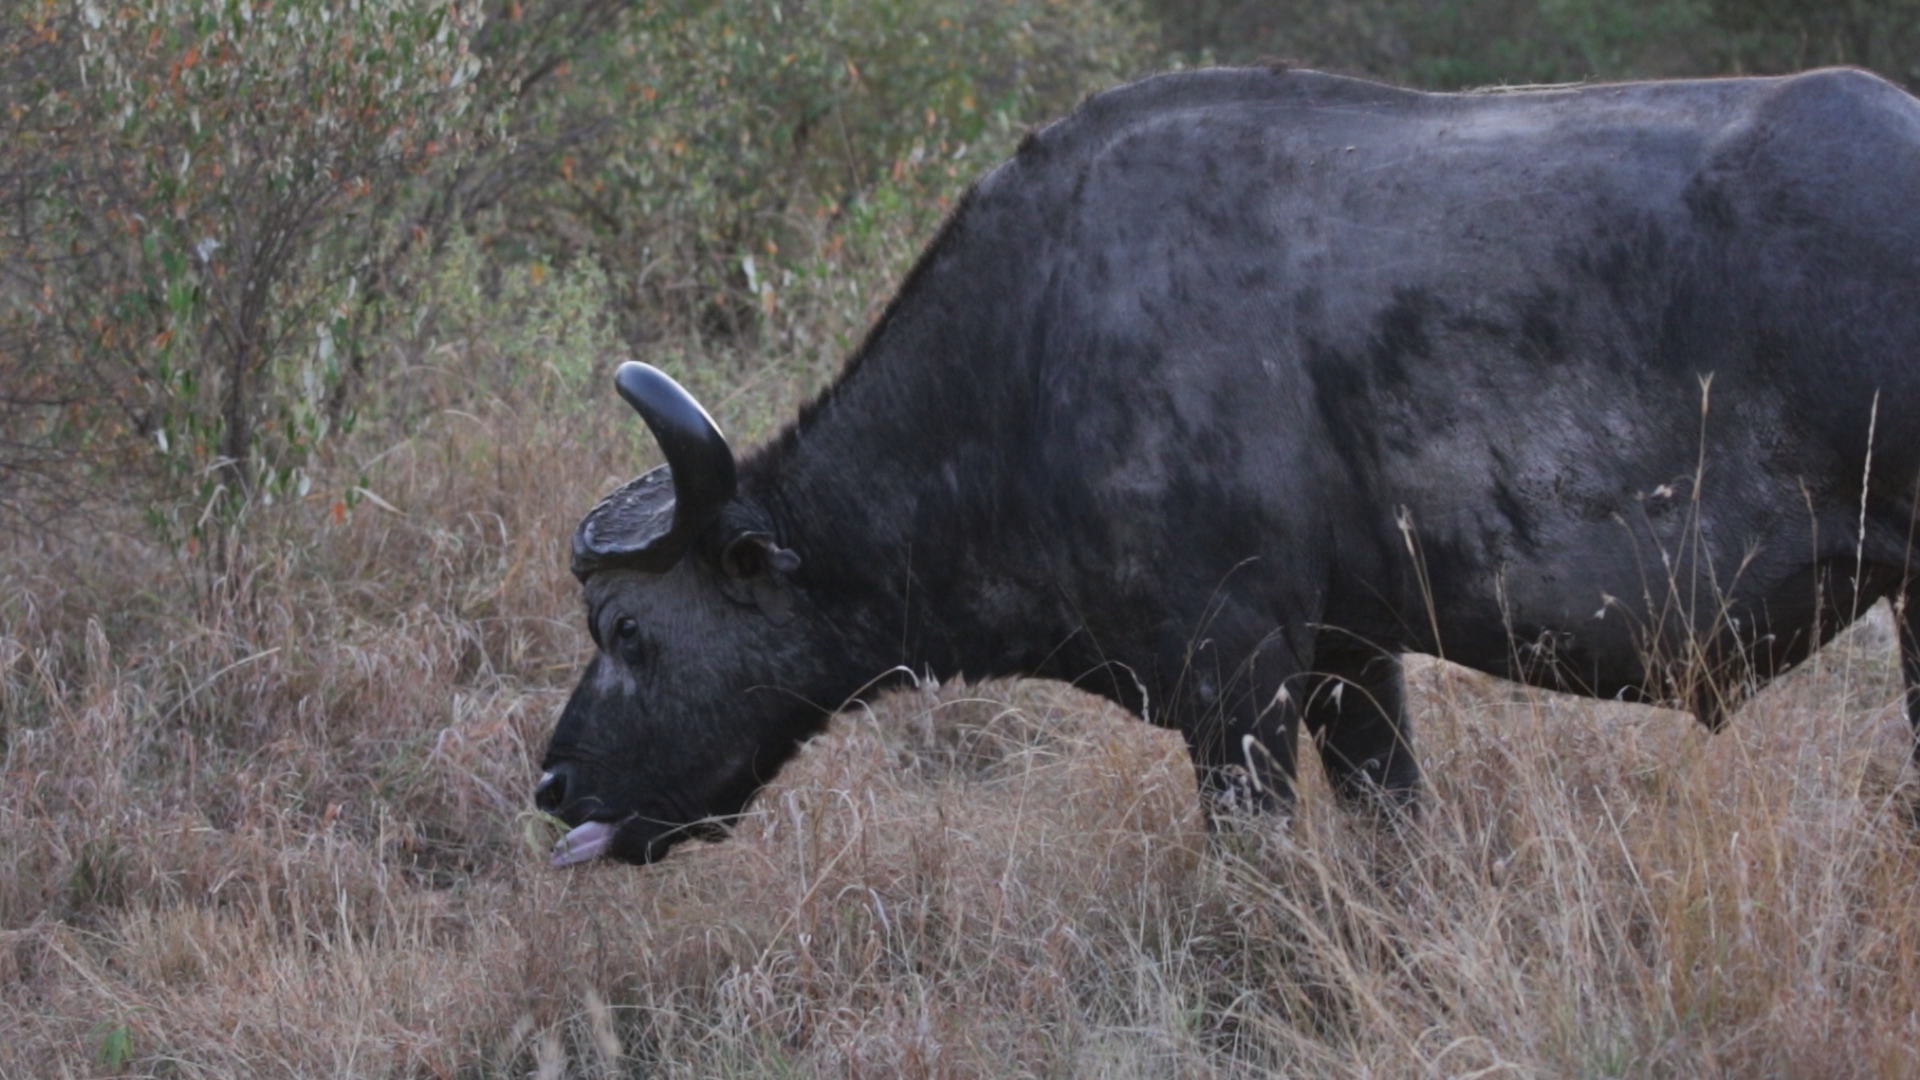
[[911, 487]]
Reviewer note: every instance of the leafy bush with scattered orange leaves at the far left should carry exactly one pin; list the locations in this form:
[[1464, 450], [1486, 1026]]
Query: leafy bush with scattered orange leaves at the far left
[[201, 187]]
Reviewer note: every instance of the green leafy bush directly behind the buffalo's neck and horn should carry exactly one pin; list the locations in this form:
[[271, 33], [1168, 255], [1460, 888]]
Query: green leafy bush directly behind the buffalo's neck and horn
[[700, 147]]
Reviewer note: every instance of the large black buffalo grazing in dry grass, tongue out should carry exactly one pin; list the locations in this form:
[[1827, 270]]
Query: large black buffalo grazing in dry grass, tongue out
[[1236, 385]]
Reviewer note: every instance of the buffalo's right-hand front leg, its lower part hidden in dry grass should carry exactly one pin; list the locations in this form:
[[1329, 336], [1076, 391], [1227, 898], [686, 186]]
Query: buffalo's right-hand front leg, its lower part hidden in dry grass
[[1356, 714]]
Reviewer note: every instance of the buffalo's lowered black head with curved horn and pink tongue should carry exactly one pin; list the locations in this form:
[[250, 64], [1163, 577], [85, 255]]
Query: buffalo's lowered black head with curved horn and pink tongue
[[688, 706]]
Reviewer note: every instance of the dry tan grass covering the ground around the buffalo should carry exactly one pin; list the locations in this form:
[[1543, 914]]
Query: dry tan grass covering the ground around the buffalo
[[276, 825]]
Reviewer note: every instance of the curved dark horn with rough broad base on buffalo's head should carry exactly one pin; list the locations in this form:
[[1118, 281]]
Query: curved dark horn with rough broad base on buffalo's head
[[650, 524]]
